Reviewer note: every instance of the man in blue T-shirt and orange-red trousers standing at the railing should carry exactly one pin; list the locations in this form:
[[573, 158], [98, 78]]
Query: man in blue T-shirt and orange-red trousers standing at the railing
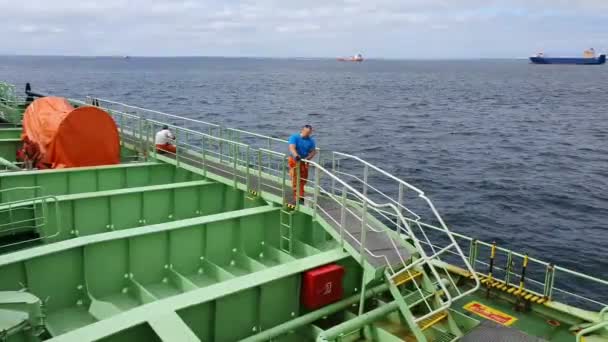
[[301, 146]]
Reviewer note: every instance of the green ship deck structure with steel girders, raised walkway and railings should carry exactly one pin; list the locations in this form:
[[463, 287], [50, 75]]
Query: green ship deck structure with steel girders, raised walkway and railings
[[204, 245]]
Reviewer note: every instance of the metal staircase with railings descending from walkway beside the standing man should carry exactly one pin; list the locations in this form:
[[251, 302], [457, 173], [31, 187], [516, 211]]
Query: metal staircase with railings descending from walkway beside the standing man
[[395, 253]]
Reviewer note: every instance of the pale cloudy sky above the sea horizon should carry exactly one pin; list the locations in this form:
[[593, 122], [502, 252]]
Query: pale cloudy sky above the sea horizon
[[409, 29]]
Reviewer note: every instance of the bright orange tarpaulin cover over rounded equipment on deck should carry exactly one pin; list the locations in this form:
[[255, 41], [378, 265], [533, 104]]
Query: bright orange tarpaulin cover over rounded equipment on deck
[[68, 137]]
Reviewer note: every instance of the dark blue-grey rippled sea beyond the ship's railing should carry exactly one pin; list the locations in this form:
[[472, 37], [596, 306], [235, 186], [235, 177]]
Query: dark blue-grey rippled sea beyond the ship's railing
[[507, 151]]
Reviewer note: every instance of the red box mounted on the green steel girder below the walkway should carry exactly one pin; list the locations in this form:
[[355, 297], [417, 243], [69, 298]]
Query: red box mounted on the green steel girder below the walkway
[[322, 286]]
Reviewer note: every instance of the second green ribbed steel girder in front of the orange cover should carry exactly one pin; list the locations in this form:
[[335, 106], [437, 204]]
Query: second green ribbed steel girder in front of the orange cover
[[102, 211]]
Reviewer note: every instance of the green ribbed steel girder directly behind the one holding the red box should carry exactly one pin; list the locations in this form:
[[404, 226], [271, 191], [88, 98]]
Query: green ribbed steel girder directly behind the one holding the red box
[[148, 264]]
